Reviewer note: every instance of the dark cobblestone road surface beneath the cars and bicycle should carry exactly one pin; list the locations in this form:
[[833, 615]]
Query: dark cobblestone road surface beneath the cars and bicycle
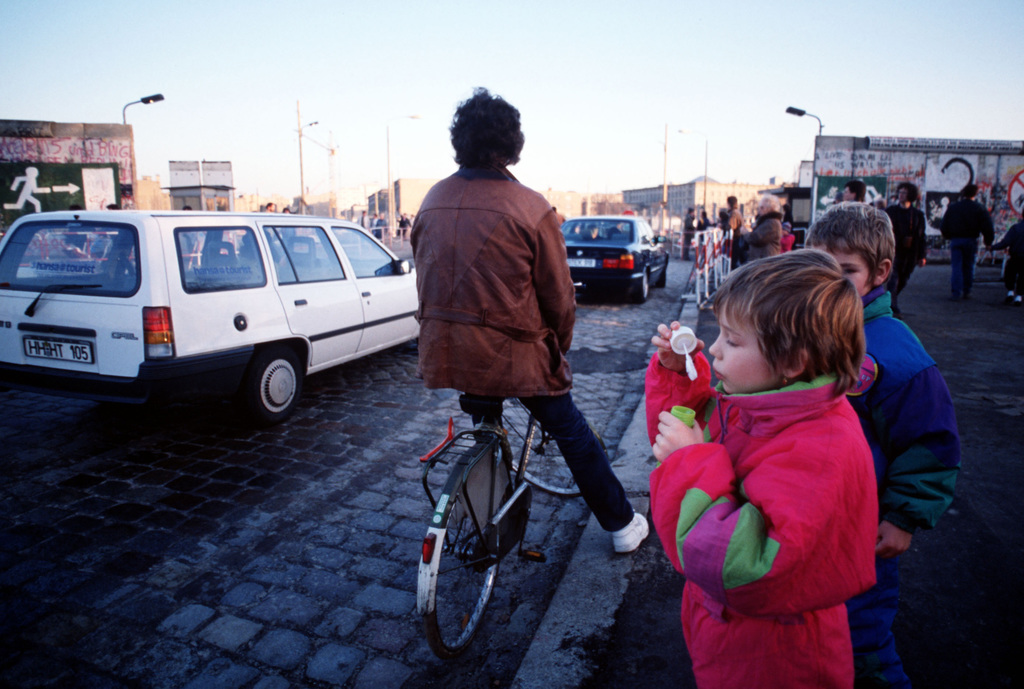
[[176, 547]]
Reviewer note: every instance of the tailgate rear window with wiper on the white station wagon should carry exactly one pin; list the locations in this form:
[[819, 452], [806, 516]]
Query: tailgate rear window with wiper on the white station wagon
[[72, 257]]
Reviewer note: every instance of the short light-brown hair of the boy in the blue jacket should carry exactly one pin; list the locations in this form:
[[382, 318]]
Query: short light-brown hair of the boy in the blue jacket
[[856, 229]]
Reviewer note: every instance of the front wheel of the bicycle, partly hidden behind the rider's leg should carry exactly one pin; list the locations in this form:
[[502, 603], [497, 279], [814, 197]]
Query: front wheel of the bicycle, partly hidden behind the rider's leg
[[546, 468]]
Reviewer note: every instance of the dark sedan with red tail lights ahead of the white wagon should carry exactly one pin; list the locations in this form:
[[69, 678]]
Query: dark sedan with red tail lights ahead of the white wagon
[[615, 252]]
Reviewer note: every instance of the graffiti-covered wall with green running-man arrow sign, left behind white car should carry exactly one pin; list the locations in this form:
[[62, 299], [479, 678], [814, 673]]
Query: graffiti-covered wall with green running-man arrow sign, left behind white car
[[53, 165]]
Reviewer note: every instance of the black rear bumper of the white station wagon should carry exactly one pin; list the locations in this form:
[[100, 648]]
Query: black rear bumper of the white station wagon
[[218, 375]]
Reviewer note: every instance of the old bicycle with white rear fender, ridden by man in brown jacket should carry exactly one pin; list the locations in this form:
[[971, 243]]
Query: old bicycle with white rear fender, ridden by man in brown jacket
[[481, 514]]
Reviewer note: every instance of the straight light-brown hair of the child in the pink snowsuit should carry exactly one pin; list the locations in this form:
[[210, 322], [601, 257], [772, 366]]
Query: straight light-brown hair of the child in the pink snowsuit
[[803, 312]]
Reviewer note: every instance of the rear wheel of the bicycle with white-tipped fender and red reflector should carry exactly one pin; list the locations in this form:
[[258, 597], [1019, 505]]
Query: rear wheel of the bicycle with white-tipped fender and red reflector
[[458, 569]]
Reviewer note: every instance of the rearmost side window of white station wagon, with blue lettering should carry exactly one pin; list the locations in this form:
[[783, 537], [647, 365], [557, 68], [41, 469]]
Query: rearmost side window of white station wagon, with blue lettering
[[215, 260]]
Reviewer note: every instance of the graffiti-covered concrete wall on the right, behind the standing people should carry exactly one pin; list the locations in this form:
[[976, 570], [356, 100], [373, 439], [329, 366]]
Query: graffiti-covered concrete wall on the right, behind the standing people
[[941, 168]]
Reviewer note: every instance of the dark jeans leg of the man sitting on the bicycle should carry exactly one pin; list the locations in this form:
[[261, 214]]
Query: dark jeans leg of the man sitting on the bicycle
[[599, 485]]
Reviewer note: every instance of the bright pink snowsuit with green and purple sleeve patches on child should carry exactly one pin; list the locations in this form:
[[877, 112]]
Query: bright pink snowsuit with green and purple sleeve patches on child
[[774, 524]]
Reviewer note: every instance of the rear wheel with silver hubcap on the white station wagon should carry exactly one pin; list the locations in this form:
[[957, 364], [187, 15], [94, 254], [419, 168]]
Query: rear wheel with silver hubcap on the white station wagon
[[273, 385]]
